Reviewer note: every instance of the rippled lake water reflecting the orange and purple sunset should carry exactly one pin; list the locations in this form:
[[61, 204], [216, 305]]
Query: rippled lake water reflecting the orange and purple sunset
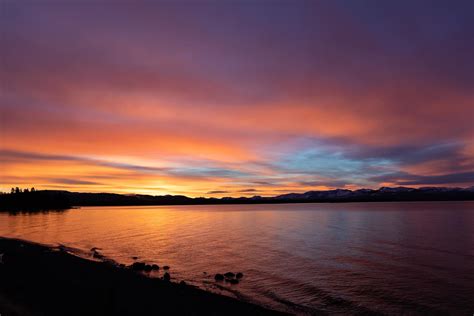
[[342, 258]]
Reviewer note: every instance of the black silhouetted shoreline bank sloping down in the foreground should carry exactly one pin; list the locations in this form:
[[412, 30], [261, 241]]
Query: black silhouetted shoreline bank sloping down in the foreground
[[38, 280]]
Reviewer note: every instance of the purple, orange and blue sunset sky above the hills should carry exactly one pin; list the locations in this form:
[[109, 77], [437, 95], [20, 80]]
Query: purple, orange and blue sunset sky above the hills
[[236, 98]]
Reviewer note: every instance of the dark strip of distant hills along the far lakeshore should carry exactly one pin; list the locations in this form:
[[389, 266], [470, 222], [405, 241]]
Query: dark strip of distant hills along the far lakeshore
[[49, 199]]
